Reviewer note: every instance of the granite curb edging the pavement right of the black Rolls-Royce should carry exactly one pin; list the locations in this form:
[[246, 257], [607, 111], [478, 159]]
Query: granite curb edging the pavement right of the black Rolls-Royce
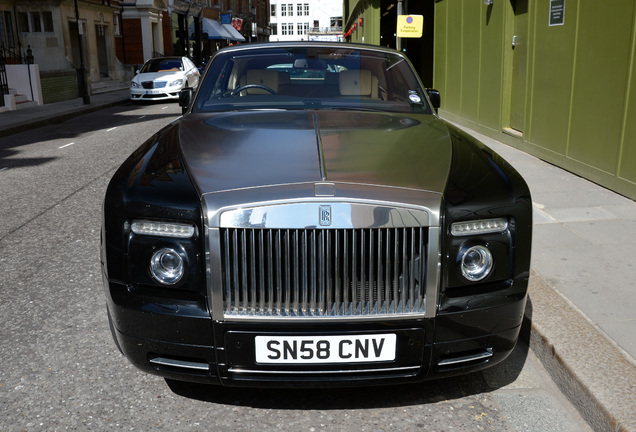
[[588, 368]]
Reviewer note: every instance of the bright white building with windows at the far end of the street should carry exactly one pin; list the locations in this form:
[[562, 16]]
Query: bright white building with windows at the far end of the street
[[296, 20]]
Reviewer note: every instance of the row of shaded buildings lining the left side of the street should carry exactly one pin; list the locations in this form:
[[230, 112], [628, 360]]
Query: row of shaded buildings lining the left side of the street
[[86, 46]]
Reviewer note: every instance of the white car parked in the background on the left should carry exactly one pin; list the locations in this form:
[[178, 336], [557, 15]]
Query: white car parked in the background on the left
[[163, 78]]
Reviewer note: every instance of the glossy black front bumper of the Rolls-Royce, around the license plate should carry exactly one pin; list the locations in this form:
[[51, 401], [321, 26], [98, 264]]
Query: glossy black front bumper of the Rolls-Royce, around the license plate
[[180, 341]]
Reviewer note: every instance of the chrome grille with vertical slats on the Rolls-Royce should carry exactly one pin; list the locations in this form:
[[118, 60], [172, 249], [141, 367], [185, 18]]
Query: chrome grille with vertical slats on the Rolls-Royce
[[323, 272]]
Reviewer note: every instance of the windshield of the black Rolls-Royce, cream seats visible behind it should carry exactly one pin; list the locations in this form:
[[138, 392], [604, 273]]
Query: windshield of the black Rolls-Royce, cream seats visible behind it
[[311, 78]]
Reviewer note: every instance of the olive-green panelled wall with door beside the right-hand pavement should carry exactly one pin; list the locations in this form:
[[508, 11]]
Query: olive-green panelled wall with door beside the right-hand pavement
[[565, 93]]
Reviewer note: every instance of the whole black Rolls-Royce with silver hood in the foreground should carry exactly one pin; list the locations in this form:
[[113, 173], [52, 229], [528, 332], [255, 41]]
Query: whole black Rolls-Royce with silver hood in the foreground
[[311, 221]]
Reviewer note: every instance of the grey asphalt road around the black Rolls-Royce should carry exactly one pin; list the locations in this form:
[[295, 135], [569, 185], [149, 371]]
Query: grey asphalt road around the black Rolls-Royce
[[60, 370]]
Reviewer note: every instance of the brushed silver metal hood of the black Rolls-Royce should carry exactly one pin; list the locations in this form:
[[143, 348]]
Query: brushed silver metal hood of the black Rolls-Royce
[[239, 150]]
